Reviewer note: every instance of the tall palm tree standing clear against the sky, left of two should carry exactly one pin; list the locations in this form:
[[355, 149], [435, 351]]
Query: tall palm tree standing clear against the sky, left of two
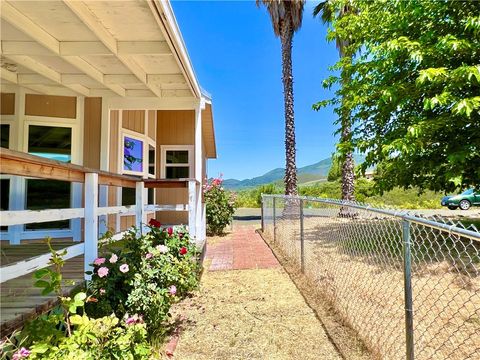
[[286, 18]]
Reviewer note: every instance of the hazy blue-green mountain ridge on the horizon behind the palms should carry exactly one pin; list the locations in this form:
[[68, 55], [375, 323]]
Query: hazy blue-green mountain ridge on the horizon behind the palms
[[314, 172]]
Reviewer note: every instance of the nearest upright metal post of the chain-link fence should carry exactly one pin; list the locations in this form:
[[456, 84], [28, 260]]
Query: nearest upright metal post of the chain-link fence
[[407, 272]]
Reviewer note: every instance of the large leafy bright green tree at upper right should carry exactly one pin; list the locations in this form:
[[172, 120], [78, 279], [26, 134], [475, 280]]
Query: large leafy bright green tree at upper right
[[413, 93]]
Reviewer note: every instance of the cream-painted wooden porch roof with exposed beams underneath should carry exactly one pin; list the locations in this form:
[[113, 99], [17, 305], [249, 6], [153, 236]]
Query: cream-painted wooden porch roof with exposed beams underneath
[[109, 48]]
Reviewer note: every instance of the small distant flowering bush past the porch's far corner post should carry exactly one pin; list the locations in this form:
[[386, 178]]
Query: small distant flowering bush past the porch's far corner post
[[220, 206]]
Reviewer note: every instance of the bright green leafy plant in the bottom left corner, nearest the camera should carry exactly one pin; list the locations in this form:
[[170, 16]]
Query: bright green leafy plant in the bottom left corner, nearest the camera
[[67, 333]]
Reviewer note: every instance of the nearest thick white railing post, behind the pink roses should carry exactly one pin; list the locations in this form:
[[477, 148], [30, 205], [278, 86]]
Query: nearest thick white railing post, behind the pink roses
[[91, 221]]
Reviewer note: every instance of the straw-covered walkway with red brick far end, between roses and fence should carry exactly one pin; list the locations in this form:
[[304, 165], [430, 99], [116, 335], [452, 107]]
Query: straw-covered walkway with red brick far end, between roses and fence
[[248, 308]]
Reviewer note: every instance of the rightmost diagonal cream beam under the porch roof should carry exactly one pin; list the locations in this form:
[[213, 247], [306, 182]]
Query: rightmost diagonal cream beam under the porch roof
[[92, 22]]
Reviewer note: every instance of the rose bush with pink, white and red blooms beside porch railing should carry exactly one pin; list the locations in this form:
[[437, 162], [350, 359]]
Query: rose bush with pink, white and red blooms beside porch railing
[[140, 277]]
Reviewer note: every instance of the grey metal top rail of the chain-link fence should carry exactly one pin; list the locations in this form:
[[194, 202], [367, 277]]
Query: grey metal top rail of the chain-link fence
[[439, 223]]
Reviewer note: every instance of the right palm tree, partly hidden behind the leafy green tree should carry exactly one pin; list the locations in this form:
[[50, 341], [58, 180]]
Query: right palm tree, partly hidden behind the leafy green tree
[[328, 13]]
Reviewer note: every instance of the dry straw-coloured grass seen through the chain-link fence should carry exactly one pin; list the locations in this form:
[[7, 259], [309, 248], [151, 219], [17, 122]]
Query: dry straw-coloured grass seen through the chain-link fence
[[368, 293]]
